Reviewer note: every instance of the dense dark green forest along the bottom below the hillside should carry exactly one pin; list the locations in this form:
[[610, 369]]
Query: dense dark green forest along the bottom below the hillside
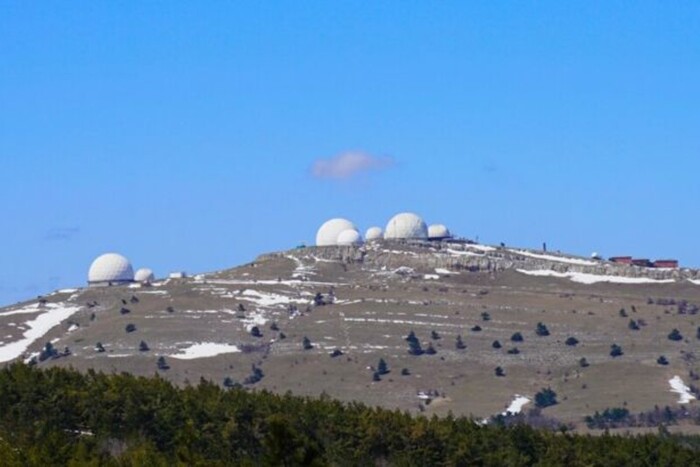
[[63, 417]]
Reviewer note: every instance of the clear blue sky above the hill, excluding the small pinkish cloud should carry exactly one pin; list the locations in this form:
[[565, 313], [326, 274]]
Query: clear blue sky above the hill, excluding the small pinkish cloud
[[184, 134]]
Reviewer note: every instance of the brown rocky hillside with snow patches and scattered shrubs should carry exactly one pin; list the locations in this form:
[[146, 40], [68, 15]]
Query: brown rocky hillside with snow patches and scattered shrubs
[[360, 303]]
